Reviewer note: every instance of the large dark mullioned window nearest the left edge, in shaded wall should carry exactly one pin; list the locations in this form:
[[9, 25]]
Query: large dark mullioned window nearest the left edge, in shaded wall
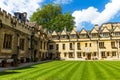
[[7, 41]]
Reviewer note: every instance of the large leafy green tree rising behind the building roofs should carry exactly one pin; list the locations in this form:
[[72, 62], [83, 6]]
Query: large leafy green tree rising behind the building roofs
[[50, 16]]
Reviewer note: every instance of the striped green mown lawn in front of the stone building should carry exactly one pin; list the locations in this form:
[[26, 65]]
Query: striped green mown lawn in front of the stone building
[[66, 70]]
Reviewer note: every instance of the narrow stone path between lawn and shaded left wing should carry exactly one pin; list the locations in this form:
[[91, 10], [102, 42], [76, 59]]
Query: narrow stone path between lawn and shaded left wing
[[22, 65]]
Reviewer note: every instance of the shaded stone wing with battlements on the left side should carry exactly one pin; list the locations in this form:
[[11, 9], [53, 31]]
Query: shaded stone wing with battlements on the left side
[[21, 38]]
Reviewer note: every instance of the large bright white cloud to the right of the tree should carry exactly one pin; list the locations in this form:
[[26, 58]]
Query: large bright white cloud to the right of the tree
[[92, 15]]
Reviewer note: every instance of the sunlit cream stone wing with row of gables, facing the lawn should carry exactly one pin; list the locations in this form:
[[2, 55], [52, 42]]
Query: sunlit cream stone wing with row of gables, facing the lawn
[[100, 43]]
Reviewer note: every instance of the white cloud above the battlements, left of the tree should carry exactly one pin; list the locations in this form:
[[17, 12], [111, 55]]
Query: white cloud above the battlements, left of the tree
[[28, 6]]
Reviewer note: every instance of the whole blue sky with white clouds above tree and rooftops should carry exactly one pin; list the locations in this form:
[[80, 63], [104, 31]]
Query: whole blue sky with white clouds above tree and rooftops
[[87, 13]]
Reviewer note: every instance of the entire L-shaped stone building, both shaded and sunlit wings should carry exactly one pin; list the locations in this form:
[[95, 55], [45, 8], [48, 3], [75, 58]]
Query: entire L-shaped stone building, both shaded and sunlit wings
[[27, 40]]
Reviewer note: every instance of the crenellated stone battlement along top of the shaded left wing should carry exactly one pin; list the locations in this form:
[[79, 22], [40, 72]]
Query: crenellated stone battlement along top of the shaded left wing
[[12, 21]]
